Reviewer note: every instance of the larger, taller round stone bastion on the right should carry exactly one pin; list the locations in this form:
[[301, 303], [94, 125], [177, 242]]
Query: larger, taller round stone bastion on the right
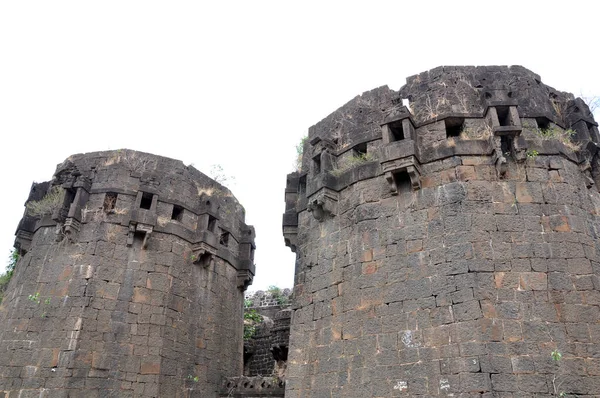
[[446, 241]]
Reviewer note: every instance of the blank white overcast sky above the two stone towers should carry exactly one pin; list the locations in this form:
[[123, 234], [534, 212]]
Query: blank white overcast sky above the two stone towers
[[239, 83]]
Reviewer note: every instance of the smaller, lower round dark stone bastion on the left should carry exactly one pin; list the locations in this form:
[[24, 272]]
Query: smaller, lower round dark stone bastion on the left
[[131, 282]]
